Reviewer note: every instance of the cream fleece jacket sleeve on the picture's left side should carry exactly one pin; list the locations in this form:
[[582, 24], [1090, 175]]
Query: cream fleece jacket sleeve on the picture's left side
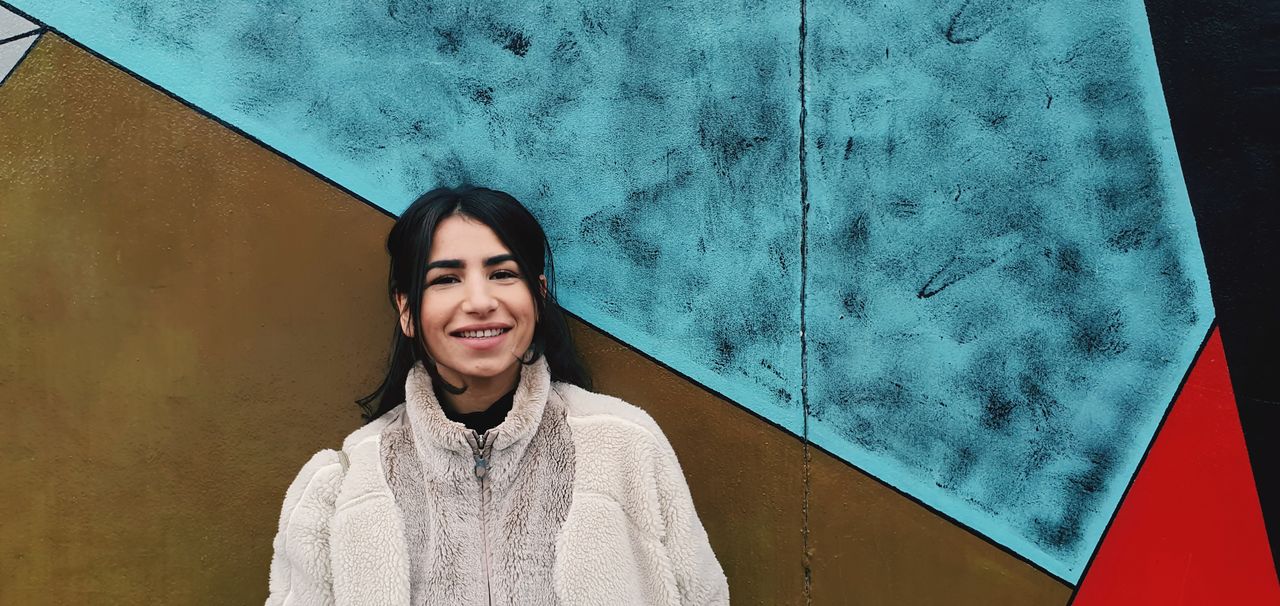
[[300, 566]]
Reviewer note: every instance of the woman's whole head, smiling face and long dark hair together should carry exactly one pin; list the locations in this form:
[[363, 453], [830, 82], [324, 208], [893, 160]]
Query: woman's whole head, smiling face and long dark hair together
[[463, 261]]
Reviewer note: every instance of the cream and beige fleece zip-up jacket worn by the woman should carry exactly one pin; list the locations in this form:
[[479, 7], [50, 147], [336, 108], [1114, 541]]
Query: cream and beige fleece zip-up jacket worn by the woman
[[579, 500]]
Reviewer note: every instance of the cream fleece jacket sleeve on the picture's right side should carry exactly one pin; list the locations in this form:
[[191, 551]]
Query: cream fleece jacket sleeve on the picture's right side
[[698, 575]]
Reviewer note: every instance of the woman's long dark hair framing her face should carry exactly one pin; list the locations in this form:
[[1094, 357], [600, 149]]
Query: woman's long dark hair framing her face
[[410, 248]]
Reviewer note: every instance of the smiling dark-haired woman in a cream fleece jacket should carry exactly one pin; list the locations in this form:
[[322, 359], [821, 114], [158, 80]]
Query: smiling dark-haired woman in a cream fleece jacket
[[500, 480]]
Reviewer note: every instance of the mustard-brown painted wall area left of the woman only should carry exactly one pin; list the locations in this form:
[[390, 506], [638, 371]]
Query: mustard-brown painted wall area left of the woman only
[[185, 318]]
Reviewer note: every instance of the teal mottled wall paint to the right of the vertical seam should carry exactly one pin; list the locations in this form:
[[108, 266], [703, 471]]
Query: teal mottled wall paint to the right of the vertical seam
[[1005, 283]]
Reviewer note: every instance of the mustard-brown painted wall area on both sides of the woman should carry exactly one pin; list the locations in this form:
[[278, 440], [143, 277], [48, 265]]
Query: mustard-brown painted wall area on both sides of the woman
[[191, 317]]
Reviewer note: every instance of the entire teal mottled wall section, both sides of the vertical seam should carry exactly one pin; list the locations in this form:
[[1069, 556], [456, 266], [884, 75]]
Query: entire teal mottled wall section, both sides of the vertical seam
[[1004, 280]]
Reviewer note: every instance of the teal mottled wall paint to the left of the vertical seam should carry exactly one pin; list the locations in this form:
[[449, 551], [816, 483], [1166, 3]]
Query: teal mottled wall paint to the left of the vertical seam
[[644, 139]]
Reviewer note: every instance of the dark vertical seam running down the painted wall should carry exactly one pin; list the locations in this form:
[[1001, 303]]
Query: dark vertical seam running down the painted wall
[[807, 557]]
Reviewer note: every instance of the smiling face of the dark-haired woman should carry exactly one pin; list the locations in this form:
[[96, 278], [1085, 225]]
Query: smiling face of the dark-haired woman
[[478, 315]]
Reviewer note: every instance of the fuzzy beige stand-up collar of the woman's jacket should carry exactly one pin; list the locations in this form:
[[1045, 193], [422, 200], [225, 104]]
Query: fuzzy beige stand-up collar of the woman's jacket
[[431, 426]]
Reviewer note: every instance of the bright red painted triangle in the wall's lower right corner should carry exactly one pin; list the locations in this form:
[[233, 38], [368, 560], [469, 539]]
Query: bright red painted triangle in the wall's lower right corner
[[1191, 530]]
